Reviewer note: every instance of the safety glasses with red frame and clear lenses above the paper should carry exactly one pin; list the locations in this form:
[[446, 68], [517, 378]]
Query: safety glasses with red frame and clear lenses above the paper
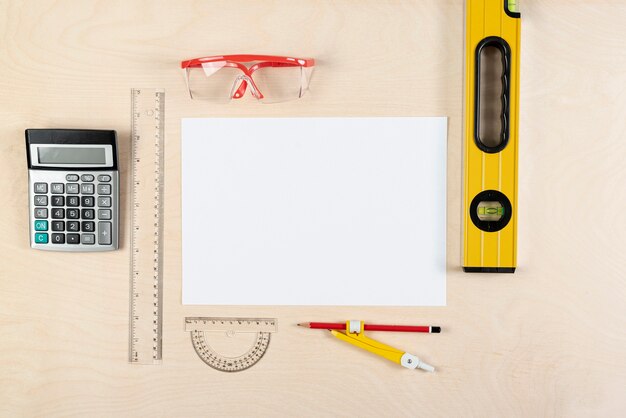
[[271, 79]]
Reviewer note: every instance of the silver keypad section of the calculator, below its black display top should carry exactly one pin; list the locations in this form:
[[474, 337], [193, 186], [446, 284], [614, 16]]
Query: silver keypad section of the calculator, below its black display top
[[74, 212]]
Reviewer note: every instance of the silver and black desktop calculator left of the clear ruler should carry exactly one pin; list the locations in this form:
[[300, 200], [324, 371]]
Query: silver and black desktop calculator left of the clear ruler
[[73, 189]]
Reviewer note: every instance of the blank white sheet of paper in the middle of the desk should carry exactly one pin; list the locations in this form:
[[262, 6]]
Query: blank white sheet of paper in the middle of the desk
[[314, 211]]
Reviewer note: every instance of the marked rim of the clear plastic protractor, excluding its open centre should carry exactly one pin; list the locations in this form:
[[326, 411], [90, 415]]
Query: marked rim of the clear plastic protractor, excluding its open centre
[[199, 327]]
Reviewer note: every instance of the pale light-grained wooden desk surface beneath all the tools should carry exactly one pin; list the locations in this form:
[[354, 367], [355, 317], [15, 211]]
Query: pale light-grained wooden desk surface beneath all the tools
[[547, 341]]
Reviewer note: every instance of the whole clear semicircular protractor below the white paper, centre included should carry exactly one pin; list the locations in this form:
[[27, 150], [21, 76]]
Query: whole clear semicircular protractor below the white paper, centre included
[[209, 336]]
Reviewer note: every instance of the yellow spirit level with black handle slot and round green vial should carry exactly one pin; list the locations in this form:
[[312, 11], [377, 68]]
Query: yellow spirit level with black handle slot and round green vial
[[492, 32]]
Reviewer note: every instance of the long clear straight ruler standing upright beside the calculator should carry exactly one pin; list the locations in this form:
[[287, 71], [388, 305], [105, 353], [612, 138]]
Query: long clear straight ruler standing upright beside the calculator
[[146, 261]]
